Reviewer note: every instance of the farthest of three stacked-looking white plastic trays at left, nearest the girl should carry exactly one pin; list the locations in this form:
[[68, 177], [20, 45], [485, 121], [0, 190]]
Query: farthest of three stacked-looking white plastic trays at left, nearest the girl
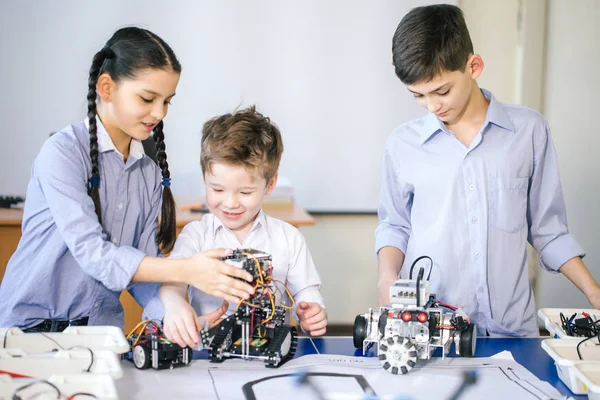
[[108, 338]]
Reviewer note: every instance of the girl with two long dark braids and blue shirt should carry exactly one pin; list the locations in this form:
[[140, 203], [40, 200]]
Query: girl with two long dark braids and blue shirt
[[90, 224]]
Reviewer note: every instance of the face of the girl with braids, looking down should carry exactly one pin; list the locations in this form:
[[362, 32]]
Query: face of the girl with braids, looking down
[[133, 107]]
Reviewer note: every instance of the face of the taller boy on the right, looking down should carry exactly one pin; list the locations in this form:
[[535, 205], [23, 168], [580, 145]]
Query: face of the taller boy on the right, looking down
[[448, 94]]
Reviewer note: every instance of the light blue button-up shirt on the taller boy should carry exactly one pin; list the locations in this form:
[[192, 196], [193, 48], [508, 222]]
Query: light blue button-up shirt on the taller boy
[[472, 210]]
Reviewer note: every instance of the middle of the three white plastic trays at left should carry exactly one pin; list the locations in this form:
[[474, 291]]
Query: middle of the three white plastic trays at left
[[44, 365]]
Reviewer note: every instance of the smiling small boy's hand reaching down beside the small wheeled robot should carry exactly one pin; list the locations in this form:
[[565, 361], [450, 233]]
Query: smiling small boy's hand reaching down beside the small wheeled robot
[[181, 324]]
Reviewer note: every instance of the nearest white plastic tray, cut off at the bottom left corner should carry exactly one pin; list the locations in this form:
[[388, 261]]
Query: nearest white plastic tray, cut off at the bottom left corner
[[101, 386]]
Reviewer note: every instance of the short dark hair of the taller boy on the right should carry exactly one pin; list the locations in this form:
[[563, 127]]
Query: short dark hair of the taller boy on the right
[[430, 40]]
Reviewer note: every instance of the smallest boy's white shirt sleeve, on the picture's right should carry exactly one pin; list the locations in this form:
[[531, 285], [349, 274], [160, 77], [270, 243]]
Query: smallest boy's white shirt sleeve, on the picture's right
[[302, 279]]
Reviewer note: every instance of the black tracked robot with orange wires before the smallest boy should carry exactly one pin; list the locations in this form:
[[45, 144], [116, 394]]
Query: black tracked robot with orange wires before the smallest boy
[[257, 329]]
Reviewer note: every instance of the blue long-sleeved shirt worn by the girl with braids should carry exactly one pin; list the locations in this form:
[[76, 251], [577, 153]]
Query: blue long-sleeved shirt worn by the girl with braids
[[67, 265]]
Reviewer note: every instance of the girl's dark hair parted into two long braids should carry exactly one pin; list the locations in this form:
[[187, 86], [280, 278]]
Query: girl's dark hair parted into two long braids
[[126, 53]]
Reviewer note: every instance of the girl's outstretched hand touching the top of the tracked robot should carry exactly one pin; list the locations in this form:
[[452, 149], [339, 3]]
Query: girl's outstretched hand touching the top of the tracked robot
[[217, 278]]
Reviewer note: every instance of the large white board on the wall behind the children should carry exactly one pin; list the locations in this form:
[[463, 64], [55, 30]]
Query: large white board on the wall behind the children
[[322, 70]]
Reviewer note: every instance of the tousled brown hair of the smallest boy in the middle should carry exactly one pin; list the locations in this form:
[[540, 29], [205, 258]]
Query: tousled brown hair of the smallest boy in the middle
[[245, 138]]
